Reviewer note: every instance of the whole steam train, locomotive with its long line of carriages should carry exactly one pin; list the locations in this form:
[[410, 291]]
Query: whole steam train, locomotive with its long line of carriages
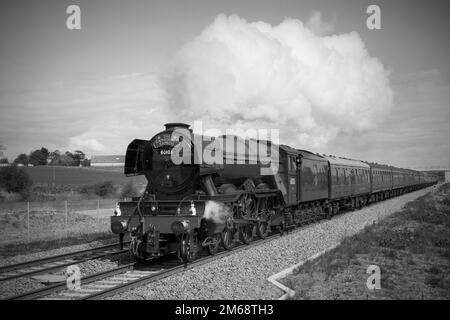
[[193, 206]]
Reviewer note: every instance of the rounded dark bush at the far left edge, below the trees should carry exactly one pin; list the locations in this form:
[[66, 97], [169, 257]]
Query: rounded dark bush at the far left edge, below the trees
[[15, 180]]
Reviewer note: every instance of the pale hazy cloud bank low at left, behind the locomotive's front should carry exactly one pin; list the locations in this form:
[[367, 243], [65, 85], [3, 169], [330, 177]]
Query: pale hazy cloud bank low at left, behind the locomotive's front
[[97, 115]]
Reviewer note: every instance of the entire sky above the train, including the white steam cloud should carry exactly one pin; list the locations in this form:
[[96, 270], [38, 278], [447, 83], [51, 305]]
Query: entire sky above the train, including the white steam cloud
[[135, 65]]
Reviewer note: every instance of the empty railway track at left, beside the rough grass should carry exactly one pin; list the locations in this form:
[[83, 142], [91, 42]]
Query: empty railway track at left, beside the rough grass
[[52, 263]]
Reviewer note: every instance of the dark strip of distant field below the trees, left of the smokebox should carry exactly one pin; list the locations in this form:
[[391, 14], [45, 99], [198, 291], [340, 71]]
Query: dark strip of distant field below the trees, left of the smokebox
[[80, 175]]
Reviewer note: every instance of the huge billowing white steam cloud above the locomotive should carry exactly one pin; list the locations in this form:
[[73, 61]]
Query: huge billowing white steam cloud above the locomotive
[[238, 74]]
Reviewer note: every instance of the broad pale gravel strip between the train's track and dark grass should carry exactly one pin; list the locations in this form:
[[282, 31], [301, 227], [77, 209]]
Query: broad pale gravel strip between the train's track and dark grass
[[243, 275]]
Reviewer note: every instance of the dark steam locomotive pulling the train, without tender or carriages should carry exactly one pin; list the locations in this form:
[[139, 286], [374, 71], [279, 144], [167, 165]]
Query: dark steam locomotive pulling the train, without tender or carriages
[[192, 204]]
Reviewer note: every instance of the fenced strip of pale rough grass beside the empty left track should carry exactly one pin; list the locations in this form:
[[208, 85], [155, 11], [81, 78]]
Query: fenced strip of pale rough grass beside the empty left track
[[26, 222]]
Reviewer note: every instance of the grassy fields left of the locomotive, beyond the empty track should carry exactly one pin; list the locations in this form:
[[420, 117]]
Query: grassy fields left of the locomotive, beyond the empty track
[[57, 214]]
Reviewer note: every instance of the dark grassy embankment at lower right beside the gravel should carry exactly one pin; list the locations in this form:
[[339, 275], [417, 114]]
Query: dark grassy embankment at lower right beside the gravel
[[411, 247]]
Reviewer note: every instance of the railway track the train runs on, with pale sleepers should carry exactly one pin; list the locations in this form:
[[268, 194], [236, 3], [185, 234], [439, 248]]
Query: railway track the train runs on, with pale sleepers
[[128, 276]]
